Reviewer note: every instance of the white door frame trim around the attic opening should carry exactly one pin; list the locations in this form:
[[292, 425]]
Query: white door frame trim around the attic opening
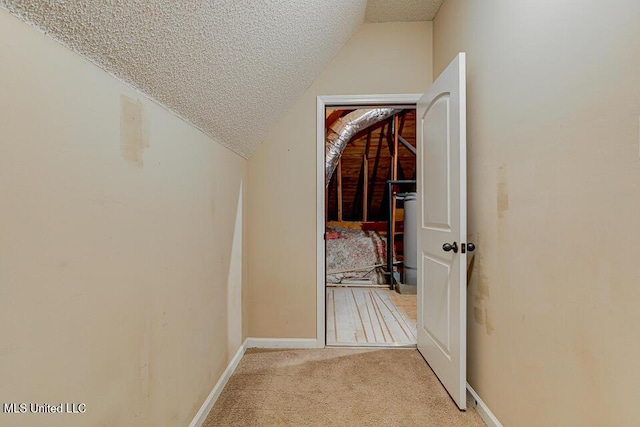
[[324, 101]]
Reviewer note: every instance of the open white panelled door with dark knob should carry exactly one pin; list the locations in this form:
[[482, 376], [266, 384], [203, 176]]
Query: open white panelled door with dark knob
[[442, 229]]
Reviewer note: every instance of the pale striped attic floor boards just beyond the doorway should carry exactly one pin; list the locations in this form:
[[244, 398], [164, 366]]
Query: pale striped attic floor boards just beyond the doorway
[[359, 316]]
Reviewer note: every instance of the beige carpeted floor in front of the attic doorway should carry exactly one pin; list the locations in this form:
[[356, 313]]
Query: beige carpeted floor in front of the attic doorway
[[336, 387]]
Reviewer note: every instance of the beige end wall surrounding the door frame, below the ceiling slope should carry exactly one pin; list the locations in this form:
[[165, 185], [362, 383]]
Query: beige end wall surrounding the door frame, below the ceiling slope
[[379, 58]]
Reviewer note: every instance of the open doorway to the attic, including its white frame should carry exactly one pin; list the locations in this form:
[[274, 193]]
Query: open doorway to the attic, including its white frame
[[363, 300]]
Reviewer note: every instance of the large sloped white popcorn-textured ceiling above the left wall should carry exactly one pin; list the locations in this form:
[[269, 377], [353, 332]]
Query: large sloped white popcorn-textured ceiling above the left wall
[[229, 67]]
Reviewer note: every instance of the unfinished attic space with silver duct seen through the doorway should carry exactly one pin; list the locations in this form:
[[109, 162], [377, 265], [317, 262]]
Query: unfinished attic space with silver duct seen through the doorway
[[370, 155]]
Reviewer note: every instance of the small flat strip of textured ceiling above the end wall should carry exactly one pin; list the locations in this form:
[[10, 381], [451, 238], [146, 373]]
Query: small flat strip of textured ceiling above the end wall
[[401, 10]]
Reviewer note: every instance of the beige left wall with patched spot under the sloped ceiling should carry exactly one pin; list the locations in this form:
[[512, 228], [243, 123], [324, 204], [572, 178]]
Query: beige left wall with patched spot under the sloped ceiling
[[117, 248]]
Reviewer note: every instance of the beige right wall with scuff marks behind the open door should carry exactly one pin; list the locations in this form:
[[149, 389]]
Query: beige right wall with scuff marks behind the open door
[[554, 102]]
